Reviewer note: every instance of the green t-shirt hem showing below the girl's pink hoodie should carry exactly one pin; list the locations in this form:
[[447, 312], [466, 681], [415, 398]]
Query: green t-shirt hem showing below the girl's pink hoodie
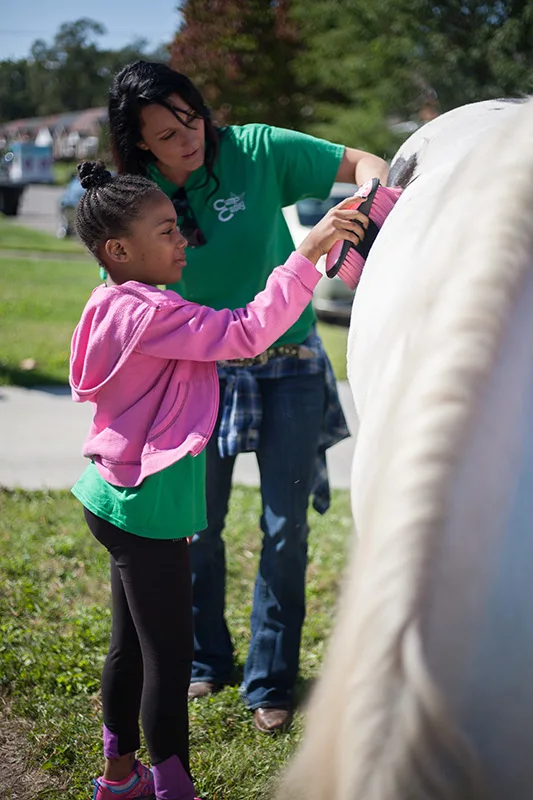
[[167, 505]]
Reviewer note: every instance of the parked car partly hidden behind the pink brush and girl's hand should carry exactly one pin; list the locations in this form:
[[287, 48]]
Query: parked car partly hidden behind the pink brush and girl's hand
[[332, 299]]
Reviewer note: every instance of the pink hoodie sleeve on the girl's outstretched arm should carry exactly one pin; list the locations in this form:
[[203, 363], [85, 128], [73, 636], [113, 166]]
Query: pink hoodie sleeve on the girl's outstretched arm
[[199, 333]]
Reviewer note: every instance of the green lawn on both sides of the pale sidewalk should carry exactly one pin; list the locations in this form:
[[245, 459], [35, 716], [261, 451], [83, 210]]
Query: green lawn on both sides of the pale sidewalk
[[54, 600]]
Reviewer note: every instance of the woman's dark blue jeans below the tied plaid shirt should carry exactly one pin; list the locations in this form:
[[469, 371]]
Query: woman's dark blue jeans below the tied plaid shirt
[[292, 416]]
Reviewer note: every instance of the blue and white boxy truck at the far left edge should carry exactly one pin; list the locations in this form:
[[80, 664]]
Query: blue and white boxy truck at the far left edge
[[22, 163]]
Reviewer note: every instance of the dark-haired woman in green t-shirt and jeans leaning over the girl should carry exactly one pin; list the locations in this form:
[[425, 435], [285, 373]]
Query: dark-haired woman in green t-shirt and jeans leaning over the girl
[[228, 186]]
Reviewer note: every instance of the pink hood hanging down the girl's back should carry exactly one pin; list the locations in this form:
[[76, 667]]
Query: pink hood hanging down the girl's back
[[110, 327]]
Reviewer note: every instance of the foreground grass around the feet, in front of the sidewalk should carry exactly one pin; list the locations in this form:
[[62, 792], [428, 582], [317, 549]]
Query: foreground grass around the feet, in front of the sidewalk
[[54, 632]]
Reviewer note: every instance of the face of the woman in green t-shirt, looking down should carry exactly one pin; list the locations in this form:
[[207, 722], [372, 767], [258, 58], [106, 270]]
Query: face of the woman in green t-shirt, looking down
[[179, 149]]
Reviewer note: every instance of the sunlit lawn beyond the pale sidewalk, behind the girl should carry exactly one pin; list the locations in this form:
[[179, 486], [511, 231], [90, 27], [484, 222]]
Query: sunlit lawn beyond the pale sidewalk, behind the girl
[[41, 298]]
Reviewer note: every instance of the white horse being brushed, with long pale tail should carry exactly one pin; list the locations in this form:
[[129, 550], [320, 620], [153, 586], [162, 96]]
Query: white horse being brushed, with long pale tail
[[426, 691]]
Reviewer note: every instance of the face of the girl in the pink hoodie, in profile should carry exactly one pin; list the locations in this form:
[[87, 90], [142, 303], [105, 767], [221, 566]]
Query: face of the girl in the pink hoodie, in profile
[[154, 250]]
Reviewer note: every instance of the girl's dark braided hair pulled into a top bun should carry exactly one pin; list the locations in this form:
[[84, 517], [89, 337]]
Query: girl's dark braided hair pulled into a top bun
[[110, 204]]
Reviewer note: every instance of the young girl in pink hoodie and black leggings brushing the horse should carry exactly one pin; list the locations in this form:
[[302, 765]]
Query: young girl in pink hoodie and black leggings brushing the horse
[[146, 359]]
